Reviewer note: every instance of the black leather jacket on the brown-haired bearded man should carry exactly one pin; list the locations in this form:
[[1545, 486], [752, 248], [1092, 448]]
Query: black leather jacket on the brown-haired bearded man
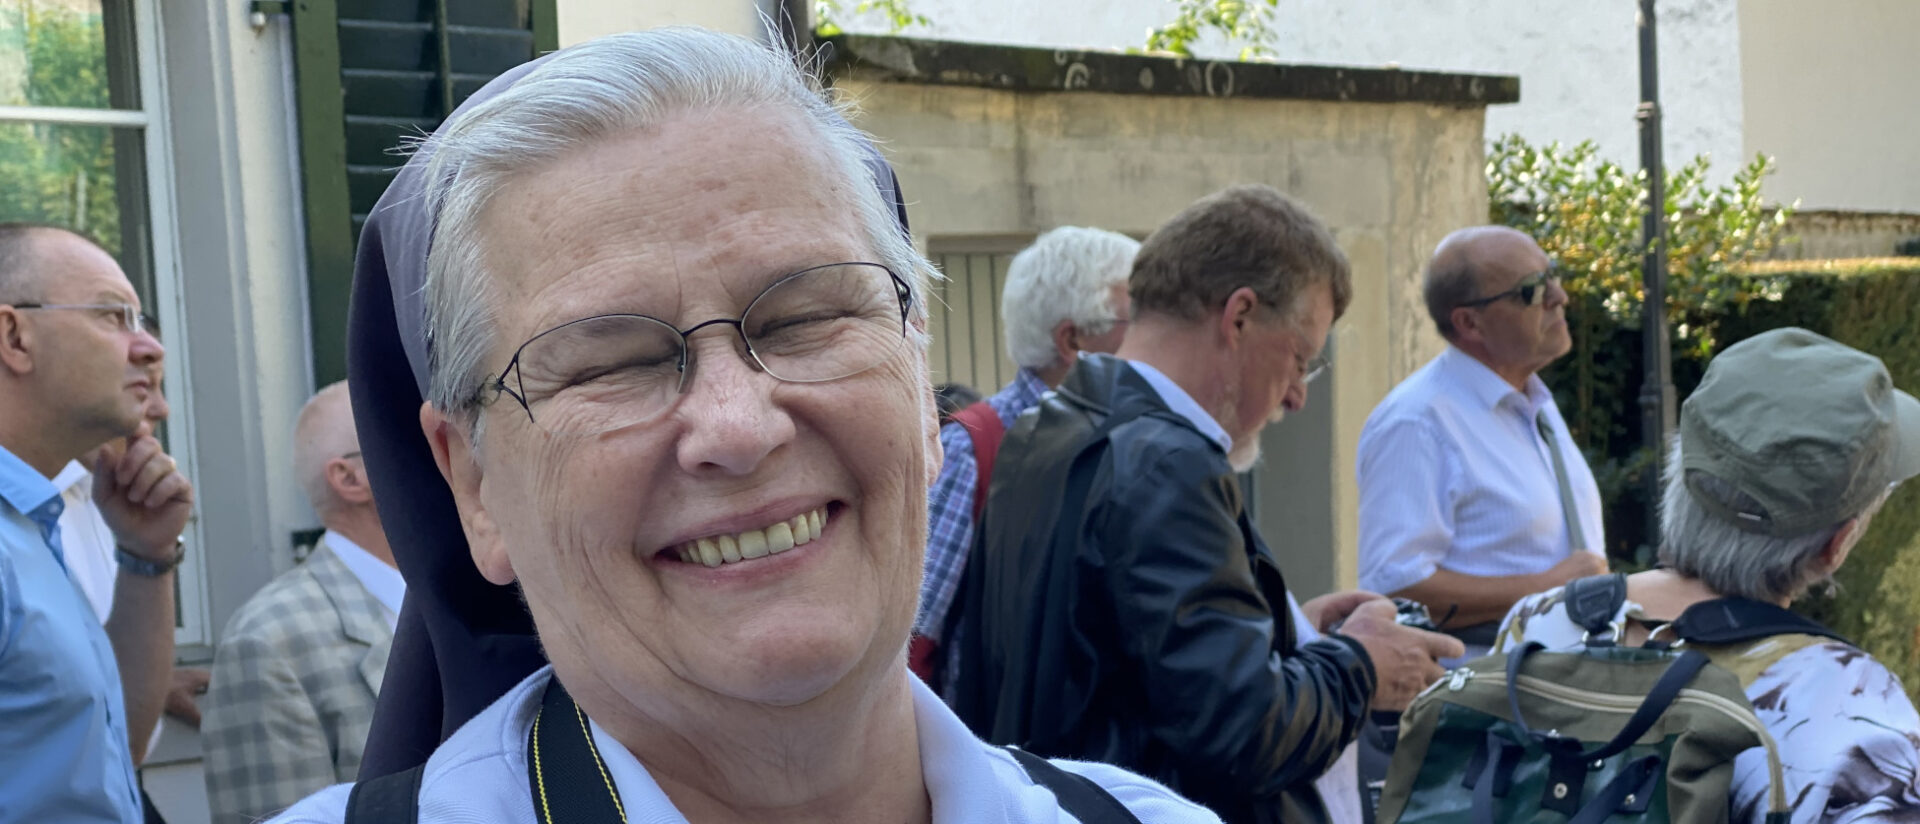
[[1120, 608]]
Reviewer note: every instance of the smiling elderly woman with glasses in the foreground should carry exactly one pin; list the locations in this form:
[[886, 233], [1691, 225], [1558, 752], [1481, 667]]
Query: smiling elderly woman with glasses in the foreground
[[679, 391]]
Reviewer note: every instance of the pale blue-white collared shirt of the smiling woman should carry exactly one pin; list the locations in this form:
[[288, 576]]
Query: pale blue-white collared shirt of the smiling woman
[[479, 775]]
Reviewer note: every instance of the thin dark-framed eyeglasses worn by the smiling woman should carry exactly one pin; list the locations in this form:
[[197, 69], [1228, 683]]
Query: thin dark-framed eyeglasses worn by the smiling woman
[[613, 372]]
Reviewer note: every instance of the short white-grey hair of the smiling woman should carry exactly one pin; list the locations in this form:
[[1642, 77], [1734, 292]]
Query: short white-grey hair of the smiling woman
[[577, 99]]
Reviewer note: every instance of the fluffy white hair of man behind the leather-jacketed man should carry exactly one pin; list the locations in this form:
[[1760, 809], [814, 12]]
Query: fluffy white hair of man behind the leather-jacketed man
[[1067, 276]]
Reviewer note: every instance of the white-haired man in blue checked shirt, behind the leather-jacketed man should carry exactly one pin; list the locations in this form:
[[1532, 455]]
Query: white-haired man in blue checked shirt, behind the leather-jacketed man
[[1065, 295]]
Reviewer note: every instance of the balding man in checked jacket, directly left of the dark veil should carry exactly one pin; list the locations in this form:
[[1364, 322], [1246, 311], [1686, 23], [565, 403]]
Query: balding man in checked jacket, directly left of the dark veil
[[299, 669]]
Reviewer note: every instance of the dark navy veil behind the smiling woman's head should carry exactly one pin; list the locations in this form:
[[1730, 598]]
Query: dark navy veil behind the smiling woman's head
[[462, 641]]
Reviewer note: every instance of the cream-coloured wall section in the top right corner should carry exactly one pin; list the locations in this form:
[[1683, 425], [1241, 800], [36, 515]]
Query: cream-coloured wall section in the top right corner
[[1831, 93]]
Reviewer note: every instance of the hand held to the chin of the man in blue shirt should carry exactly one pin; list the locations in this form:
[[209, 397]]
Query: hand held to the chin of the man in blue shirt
[[143, 498]]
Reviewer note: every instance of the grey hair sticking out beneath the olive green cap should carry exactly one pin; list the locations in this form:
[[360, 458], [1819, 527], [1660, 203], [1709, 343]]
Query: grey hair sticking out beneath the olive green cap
[[1731, 560]]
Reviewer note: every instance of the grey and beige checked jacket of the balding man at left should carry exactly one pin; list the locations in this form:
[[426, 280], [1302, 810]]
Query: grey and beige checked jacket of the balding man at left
[[293, 694]]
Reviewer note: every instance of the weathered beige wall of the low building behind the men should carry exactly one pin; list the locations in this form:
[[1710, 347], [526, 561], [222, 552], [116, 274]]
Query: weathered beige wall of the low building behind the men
[[1389, 178]]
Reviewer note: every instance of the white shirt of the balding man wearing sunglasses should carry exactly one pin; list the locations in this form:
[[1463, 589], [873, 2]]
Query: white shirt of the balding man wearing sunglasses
[[1454, 475]]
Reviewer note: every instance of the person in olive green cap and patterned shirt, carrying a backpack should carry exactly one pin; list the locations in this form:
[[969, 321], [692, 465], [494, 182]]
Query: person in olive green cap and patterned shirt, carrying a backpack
[[1787, 452]]
